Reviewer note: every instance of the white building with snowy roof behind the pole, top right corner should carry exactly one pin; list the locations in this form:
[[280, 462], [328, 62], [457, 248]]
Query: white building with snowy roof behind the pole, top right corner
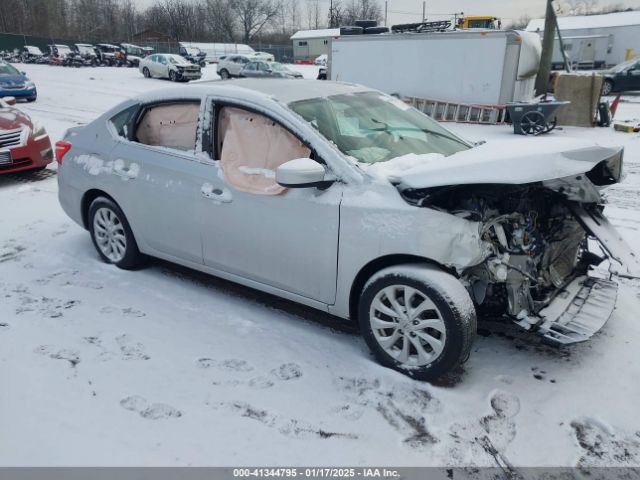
[[622, 30]]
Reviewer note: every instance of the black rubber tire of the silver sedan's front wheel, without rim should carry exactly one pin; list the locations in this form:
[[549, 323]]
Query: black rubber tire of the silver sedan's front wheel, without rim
[[455, 312]]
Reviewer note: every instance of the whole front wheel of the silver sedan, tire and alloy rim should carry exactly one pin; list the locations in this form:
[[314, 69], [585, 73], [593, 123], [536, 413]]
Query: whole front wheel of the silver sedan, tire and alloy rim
[[417, 320]]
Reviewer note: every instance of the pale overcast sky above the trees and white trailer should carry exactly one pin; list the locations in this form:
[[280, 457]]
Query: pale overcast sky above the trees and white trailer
[[407, 11]]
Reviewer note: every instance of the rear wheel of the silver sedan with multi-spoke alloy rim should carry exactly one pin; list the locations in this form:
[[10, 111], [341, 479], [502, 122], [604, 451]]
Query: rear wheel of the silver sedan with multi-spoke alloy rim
[[112, 235]]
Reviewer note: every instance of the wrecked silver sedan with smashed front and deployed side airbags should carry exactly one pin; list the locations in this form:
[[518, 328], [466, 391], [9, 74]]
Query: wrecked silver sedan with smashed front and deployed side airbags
[[347, 200]]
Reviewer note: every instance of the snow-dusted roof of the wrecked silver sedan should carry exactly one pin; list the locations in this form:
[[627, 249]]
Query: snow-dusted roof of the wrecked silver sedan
[[282, 90]]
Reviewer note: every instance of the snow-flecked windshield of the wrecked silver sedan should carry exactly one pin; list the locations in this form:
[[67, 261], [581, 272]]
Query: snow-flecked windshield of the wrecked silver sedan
[[372, 127]]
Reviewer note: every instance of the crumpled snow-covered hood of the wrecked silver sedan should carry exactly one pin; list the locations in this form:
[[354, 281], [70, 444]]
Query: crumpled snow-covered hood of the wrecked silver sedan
[[515, 161]]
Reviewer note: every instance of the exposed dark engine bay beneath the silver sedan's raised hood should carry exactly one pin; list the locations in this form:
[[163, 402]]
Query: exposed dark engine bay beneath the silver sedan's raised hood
[[537, 245]]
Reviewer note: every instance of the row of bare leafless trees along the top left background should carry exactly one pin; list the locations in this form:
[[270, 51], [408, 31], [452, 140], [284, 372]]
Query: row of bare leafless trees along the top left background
[[244, 21]]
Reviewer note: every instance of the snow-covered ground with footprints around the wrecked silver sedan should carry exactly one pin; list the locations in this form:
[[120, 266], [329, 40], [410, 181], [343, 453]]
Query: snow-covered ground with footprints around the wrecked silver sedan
[[165, 366]]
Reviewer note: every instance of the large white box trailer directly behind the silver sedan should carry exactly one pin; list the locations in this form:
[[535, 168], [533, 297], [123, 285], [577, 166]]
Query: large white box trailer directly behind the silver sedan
[[476, 67]]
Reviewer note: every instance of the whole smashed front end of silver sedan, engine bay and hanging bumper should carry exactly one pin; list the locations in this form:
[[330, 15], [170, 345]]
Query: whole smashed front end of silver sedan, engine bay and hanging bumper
[[546, 243]]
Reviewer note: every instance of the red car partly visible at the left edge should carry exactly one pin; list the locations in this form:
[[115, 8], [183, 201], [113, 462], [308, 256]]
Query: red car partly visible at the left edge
[[24, 145]]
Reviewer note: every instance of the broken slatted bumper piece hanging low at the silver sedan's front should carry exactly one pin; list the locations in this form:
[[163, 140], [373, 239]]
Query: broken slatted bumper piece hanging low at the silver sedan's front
[[579, 311]]
